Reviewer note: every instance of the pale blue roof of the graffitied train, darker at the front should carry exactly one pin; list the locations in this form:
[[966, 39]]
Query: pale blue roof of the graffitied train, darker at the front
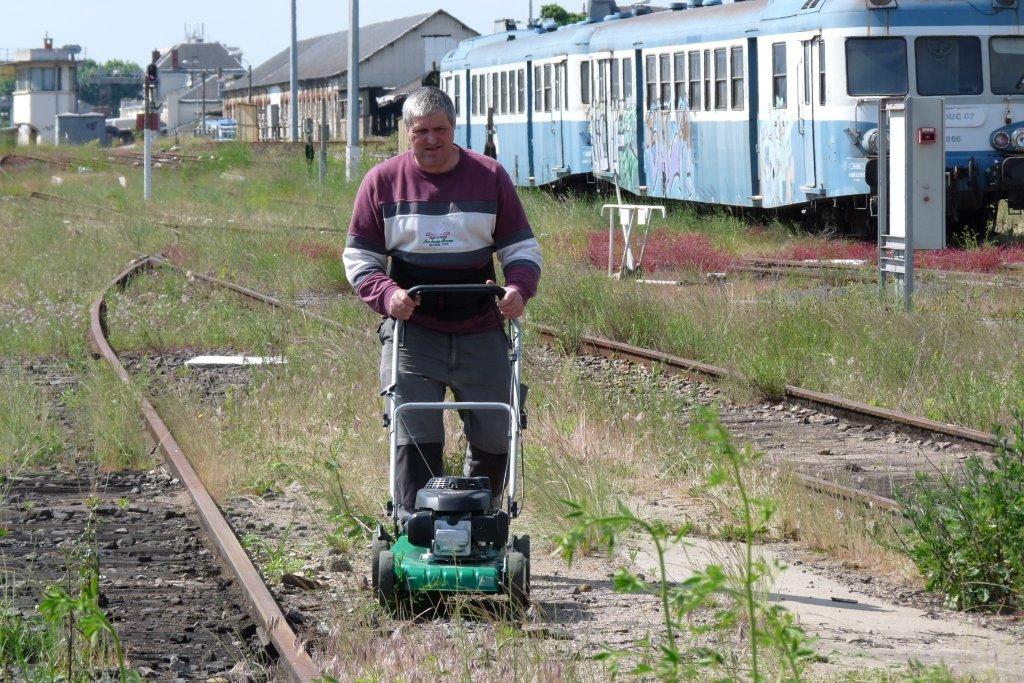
[[720, 22]]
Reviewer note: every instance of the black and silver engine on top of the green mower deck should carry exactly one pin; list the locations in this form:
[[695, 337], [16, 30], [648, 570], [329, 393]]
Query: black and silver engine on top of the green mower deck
[[454, 520]]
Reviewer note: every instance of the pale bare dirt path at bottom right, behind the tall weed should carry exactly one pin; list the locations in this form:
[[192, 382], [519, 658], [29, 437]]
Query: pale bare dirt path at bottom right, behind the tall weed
[[860, 631]]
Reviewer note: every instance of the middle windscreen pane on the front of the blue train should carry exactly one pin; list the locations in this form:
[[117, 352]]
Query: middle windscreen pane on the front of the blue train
[[949, 65]]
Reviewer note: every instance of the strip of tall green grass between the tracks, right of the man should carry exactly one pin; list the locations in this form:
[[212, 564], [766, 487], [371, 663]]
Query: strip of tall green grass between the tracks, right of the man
[[945, 365]]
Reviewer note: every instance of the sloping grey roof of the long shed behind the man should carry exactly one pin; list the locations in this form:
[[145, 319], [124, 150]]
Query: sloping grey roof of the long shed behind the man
[[327, 56]]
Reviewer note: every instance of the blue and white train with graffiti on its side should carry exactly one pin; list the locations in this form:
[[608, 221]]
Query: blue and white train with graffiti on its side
[[761, 104]]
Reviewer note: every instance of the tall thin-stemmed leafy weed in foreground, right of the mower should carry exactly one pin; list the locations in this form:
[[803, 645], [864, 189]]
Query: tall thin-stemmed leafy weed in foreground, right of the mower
[[689, 648]]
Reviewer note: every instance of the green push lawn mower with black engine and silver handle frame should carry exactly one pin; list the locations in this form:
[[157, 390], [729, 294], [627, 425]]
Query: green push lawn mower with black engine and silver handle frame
[[457, 541]]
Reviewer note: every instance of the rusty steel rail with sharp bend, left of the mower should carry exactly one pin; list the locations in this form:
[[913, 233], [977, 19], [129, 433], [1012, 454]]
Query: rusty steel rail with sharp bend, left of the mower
[[293, 659]]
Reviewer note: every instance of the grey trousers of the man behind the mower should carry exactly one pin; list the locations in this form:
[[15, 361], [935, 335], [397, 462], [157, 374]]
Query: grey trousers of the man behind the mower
[[477, 368]]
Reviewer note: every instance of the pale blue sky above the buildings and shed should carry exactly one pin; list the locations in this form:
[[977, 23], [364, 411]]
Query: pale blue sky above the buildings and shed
[[262, 28]]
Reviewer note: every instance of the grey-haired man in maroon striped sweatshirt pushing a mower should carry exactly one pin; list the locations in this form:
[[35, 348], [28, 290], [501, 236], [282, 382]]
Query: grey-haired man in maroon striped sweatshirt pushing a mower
[[438, 215]]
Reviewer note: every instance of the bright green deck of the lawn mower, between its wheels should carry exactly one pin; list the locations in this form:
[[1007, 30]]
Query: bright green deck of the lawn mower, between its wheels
[[415, 573]]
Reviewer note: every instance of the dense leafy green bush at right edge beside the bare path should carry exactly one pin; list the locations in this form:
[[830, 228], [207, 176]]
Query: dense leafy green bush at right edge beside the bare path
[[965, 534]]
